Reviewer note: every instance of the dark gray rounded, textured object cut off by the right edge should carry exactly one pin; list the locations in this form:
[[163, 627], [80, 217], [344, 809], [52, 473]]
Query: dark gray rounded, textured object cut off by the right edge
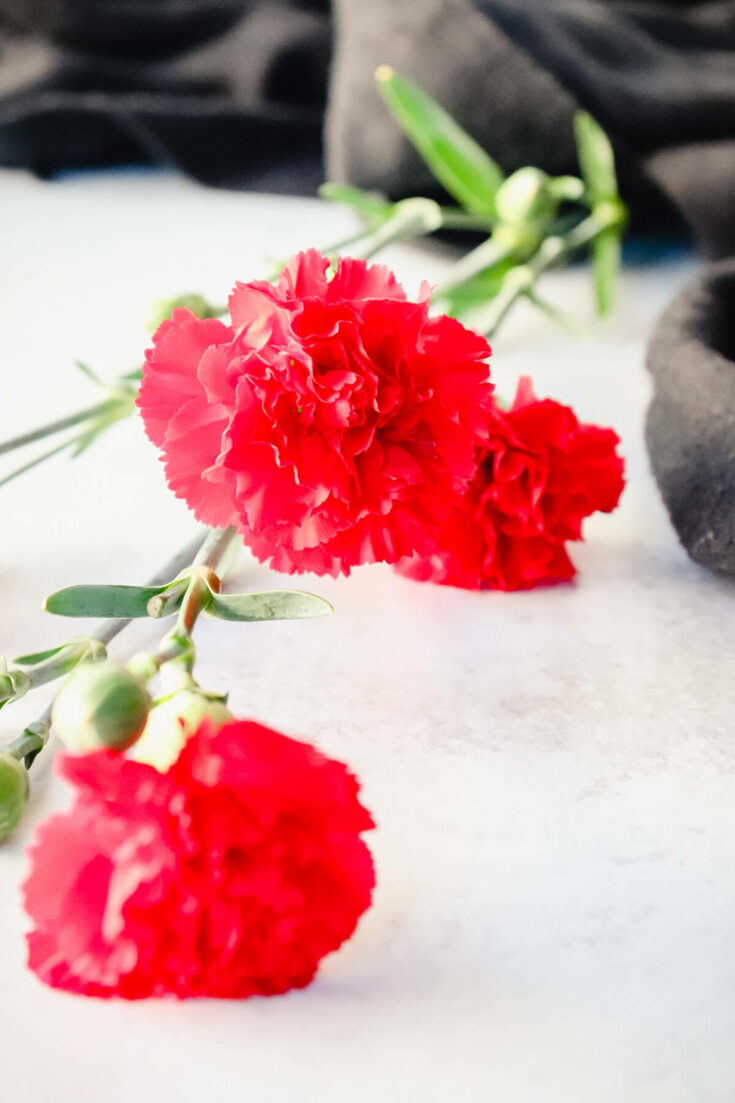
[[691, 422]]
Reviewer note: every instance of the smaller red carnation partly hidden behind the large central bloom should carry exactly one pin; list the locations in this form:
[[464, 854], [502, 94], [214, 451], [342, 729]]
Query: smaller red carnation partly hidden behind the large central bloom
[[541, 475]]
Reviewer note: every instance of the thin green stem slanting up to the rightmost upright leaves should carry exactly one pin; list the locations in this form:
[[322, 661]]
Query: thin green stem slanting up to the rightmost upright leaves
[[523, 280]]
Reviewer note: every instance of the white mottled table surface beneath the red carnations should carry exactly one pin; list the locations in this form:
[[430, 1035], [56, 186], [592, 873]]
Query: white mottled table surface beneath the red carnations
[[553, 773]]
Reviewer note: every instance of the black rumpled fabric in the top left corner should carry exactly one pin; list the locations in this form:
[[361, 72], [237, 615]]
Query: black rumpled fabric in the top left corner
[[230, 92]]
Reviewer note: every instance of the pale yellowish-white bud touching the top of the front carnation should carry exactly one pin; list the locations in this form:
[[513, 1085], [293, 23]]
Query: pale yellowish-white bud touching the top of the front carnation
[[172, 723]]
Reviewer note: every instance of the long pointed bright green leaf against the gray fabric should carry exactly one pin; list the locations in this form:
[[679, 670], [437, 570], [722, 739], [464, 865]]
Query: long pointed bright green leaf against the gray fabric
[[456, 160]]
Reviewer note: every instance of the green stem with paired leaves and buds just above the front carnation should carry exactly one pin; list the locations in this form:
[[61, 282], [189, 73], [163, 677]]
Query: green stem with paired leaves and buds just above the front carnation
[[95, 686]]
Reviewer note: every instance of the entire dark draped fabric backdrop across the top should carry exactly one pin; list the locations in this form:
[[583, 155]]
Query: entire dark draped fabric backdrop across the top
[[279, 95]]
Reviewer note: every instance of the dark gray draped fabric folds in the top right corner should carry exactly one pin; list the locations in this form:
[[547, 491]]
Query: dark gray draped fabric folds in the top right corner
[[661, 78]]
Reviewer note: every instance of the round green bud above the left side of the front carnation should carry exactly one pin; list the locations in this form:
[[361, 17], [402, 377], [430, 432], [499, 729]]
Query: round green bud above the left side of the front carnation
[[101, 705]]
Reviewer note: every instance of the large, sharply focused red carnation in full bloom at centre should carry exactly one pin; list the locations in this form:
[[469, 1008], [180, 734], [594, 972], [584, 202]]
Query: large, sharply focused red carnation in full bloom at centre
[[333, 422]]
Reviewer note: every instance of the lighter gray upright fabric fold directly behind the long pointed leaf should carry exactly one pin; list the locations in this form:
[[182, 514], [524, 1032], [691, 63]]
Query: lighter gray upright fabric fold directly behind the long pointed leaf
[[507, 102]]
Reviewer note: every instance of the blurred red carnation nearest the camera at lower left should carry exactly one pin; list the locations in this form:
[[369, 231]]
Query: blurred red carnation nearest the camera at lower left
[[231, 875]]
